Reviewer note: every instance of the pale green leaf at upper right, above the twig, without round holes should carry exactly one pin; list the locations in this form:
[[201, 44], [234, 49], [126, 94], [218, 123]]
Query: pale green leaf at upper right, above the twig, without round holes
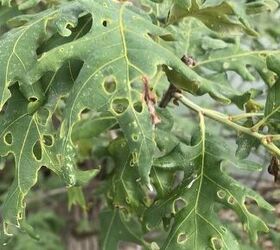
[[218, 55]]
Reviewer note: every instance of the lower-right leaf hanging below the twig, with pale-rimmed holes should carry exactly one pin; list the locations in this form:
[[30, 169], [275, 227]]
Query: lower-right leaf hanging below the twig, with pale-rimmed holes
[[196, 224]]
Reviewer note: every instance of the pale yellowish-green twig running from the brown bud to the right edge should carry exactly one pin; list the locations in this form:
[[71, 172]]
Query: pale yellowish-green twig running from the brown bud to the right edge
[[266, 140]]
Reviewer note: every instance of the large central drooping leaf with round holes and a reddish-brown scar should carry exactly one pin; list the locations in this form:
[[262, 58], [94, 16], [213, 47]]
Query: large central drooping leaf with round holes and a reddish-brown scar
[[117, 68]]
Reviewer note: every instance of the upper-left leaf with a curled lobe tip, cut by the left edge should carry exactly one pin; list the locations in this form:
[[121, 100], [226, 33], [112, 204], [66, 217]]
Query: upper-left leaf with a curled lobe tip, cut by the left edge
[[18, 47]]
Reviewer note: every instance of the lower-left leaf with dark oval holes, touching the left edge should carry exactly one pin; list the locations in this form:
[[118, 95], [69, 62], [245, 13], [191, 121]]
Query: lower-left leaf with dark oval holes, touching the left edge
[[31, 138]]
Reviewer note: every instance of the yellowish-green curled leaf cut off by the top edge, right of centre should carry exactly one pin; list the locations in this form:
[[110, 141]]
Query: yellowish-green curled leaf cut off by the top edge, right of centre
[[221, 16]]
